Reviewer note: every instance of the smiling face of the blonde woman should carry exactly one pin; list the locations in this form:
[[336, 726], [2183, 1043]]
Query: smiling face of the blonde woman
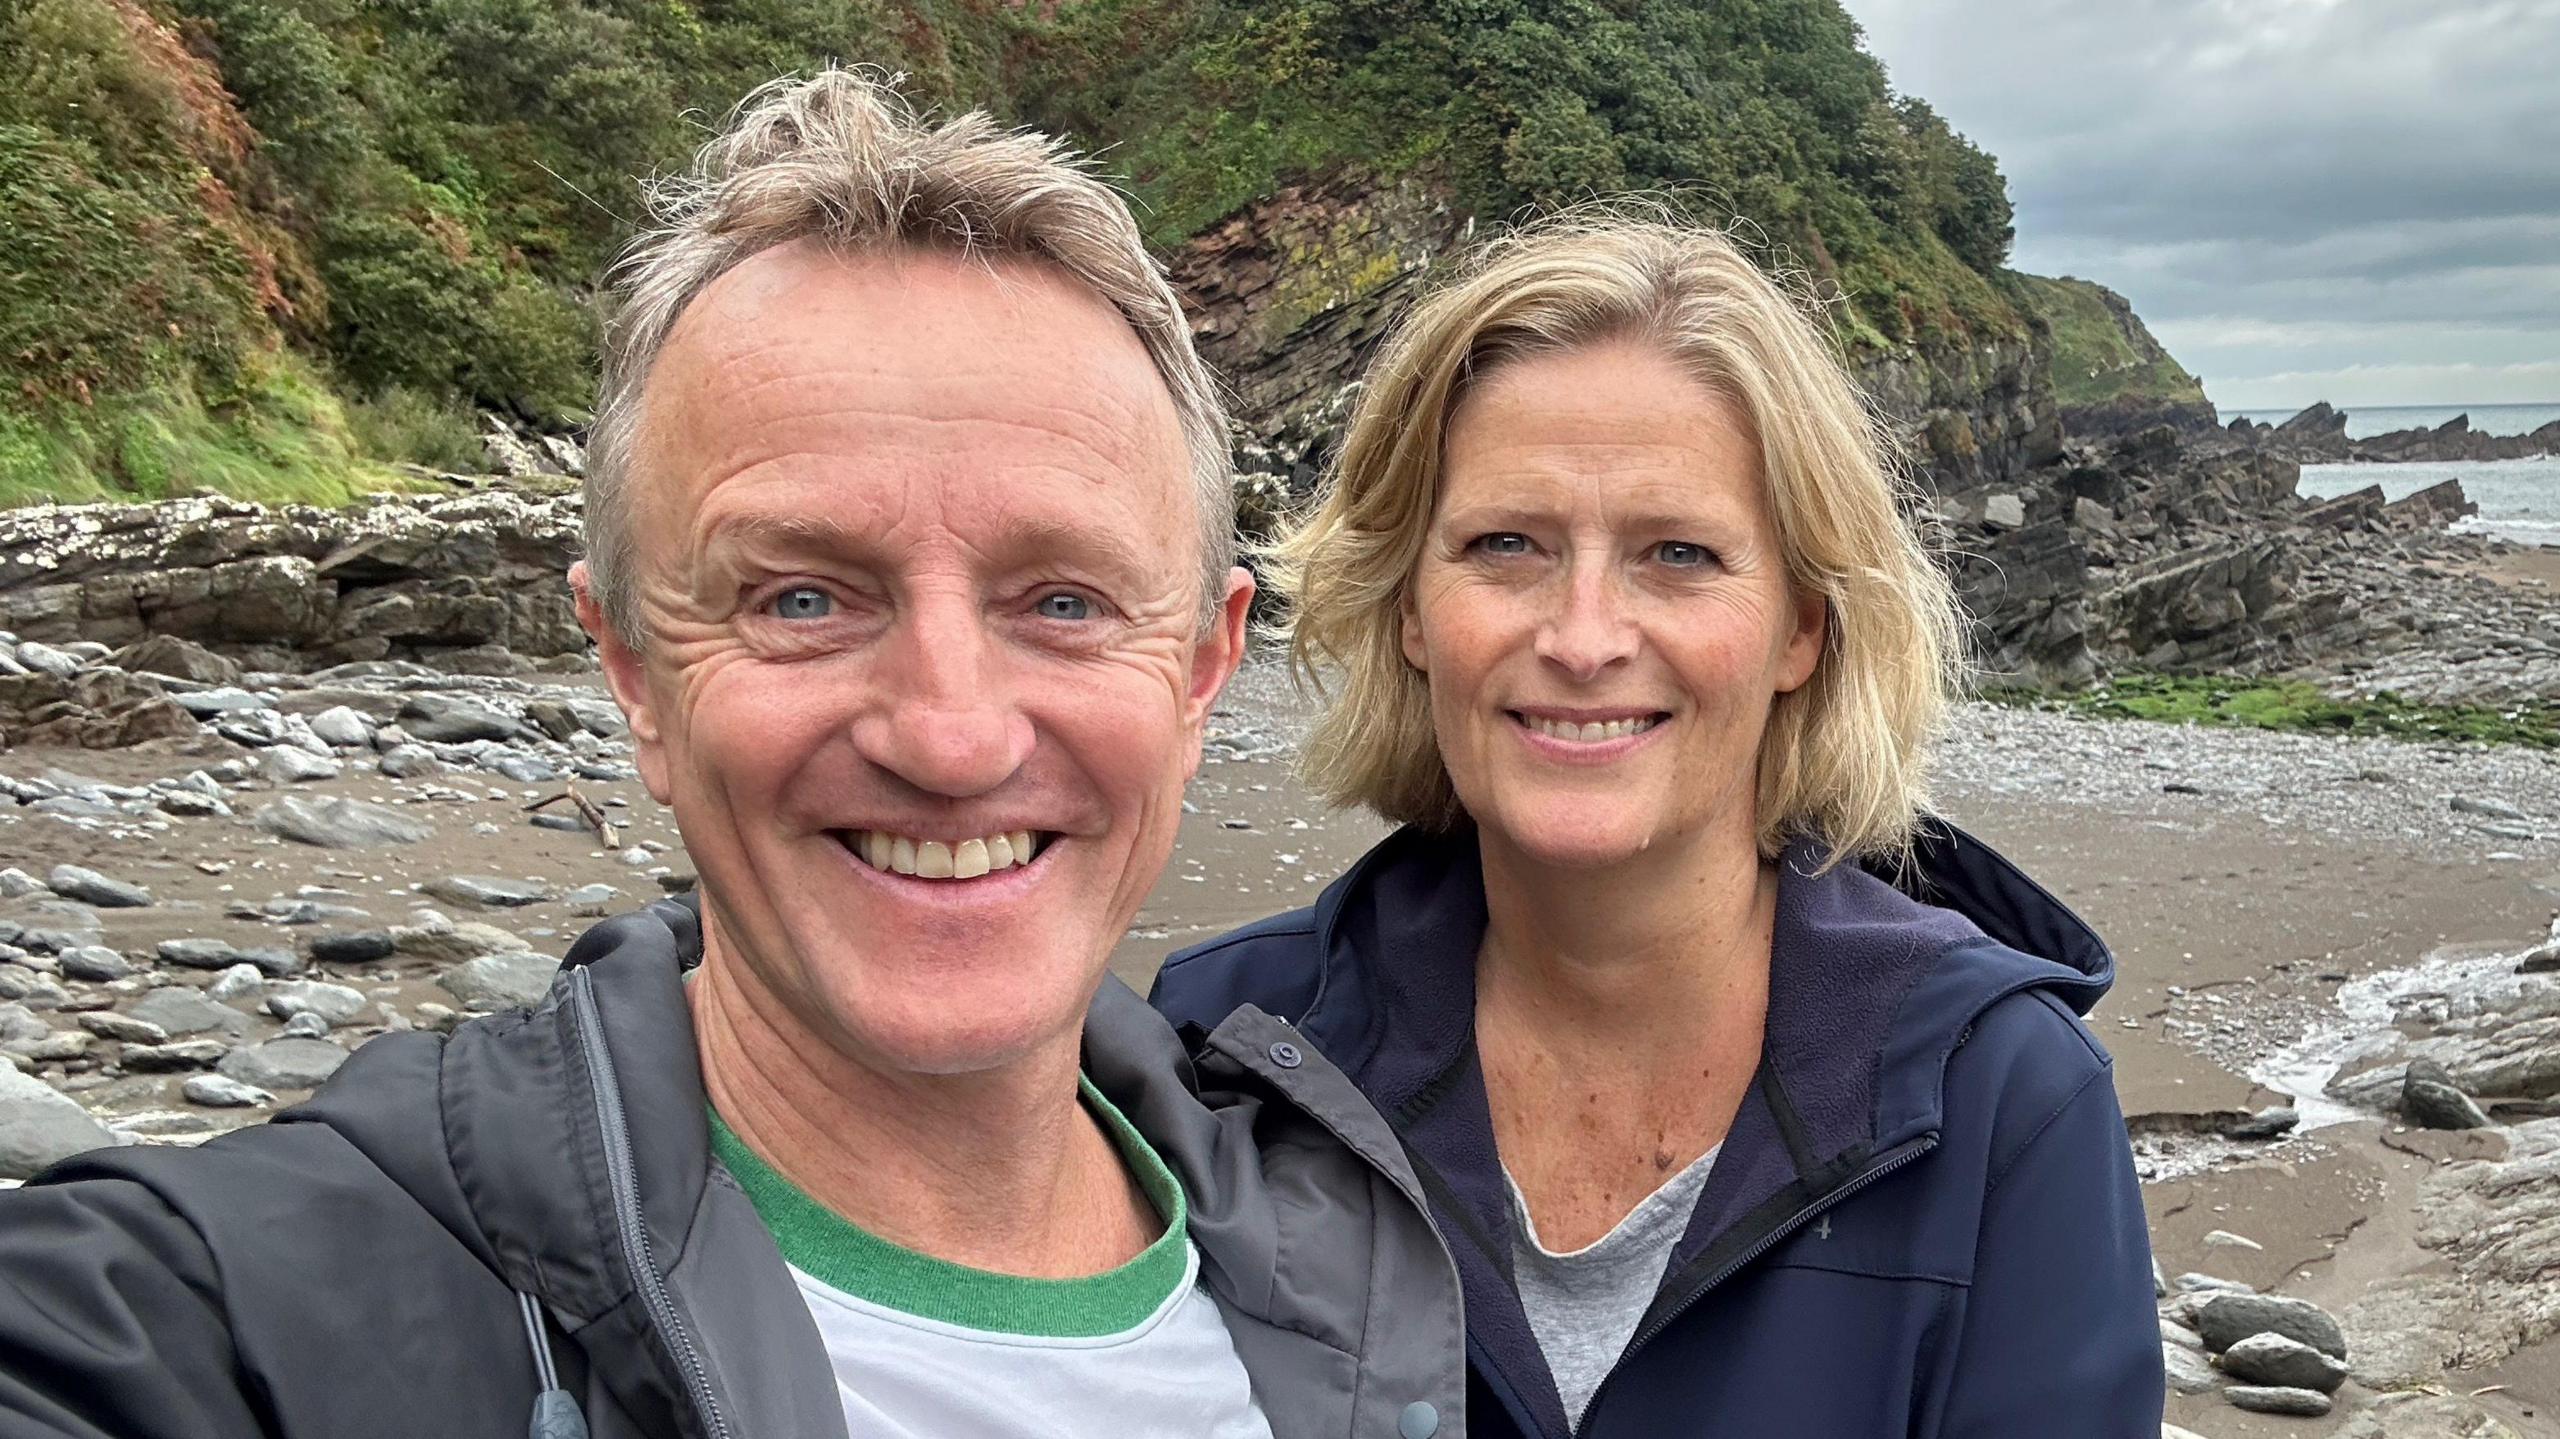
[[1604, 611]]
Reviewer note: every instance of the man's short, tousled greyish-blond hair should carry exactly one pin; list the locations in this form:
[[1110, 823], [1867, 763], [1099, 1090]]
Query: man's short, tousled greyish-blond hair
[[844, 160]]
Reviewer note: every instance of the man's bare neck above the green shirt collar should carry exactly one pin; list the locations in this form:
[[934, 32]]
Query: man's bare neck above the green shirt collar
[[1000, 1171]]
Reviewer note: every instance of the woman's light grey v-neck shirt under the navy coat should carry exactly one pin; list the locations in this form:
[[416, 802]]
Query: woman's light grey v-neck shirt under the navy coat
[[1586, 1305]]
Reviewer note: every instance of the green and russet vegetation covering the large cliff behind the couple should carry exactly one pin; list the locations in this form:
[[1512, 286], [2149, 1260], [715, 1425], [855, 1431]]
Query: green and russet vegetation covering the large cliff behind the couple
[[247, 242]]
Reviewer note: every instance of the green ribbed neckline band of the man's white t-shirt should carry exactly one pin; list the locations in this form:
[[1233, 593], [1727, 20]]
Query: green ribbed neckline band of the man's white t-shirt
[[844, 1256]]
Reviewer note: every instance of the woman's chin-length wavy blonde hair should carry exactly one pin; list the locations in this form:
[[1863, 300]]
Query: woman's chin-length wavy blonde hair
[[1844, 759]]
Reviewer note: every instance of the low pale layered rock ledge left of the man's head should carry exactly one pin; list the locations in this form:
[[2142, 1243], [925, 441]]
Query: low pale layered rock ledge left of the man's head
[[472, 583]]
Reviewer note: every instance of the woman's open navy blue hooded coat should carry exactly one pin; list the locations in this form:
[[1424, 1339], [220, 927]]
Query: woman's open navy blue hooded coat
[[1924, 1220]]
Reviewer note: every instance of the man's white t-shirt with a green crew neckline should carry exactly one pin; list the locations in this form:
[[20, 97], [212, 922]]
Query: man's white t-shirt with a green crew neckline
[[936, 1351]]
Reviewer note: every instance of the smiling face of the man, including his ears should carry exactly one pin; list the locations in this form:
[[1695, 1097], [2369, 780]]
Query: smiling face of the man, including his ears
[[918, 565]]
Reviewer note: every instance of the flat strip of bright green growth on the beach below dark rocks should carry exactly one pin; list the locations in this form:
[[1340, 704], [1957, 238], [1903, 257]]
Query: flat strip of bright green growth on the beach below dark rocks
[[2295, 705]]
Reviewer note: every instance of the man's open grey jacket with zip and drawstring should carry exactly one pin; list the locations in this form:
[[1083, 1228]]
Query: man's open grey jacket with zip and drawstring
[[457, 1228]]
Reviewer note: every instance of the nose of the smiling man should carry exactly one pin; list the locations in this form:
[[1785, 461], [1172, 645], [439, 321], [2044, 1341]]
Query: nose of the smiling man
[[951, 723]]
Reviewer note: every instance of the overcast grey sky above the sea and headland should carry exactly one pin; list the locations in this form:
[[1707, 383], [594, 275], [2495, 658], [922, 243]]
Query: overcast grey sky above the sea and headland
[[2351, 201]]
